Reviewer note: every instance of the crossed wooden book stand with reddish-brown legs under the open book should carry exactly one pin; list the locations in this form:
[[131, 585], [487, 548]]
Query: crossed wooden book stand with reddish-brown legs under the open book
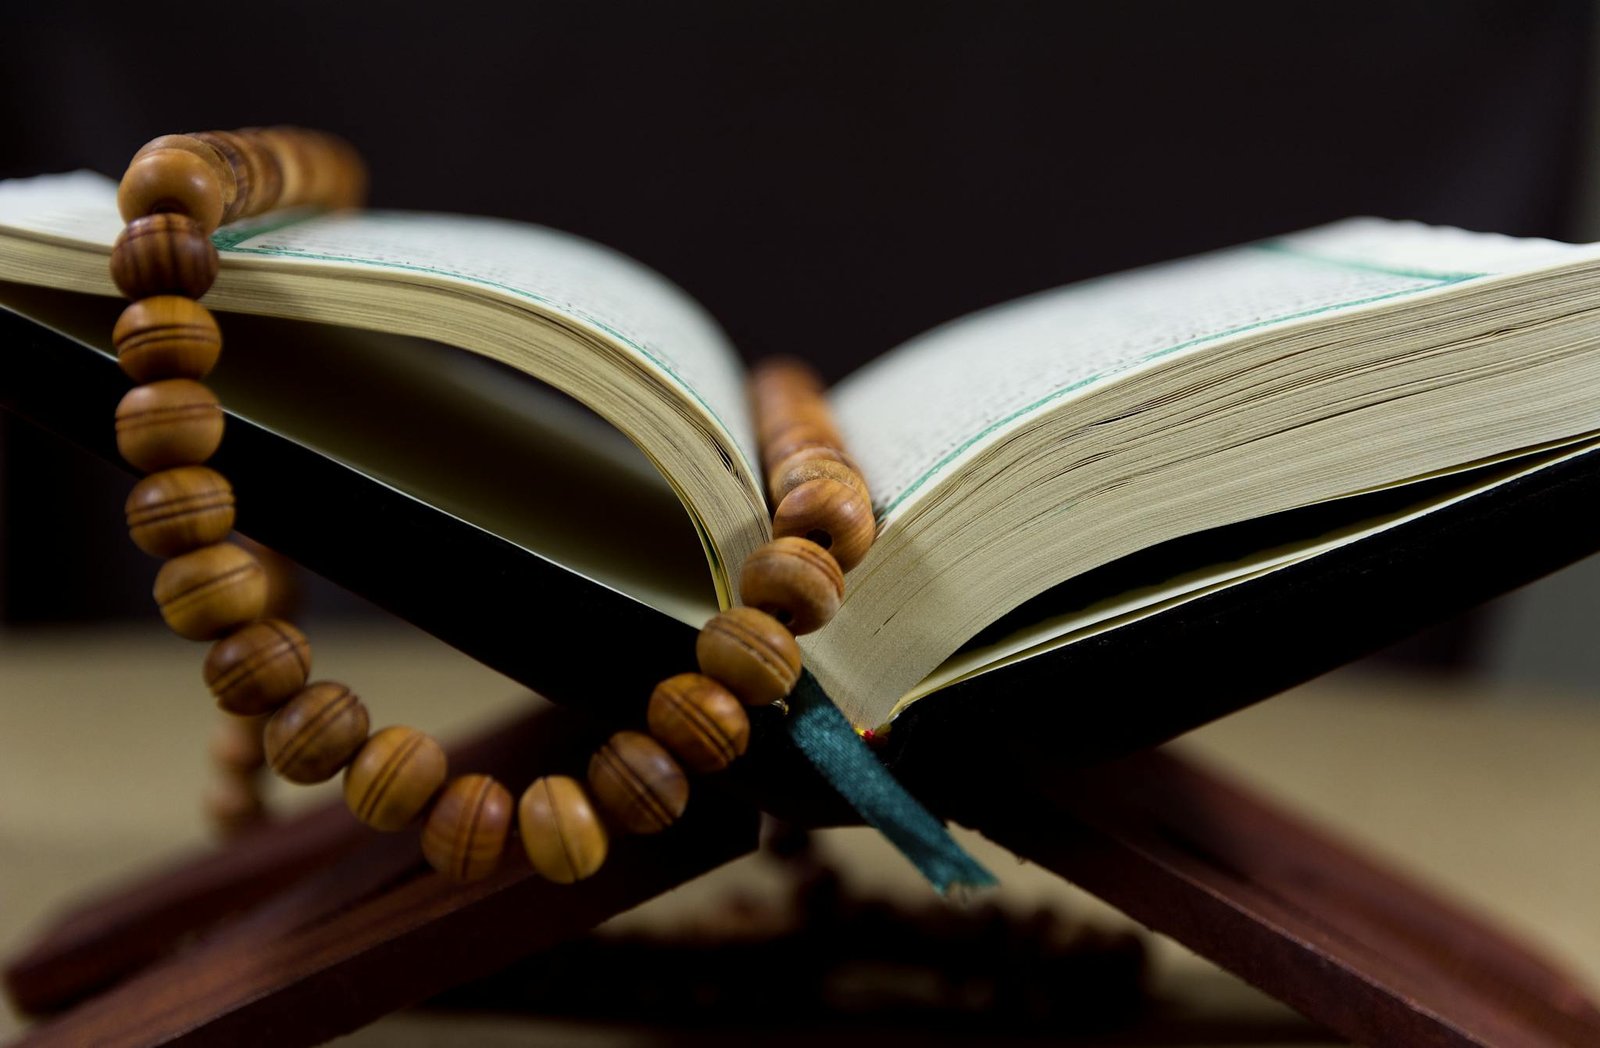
[[318, 926]]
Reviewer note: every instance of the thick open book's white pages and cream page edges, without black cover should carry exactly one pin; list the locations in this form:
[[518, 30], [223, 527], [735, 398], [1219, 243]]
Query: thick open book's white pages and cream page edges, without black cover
[[1378, 369]]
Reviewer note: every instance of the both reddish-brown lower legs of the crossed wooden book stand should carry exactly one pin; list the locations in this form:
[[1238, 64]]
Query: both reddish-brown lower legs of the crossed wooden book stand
[[1294, 911]]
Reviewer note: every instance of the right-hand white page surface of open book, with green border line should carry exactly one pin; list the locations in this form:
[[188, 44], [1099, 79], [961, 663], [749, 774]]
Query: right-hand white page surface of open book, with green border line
[[962, 388]]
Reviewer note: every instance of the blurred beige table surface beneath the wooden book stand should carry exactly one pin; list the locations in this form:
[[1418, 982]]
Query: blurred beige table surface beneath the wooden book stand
[[1490, 794]]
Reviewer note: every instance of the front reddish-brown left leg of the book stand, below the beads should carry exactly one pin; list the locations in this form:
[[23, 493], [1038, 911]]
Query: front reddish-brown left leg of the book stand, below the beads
[[374, 934]]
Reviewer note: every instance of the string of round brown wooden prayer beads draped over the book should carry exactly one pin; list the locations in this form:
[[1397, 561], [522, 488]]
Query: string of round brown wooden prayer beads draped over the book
[[175, 194]]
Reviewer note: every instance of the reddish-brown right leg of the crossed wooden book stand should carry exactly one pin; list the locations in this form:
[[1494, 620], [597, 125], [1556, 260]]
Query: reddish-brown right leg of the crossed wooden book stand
[[1302, 916]]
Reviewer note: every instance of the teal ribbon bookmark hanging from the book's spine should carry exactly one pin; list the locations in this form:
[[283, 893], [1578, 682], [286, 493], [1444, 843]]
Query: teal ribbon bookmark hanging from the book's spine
[[834, 748]]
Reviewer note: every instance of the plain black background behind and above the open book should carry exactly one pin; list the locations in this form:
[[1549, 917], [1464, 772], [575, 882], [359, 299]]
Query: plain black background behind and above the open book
[[826, 178]]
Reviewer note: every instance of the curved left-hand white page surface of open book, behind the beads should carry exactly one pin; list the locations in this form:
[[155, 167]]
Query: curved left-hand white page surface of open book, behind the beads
[[575, 278]]
